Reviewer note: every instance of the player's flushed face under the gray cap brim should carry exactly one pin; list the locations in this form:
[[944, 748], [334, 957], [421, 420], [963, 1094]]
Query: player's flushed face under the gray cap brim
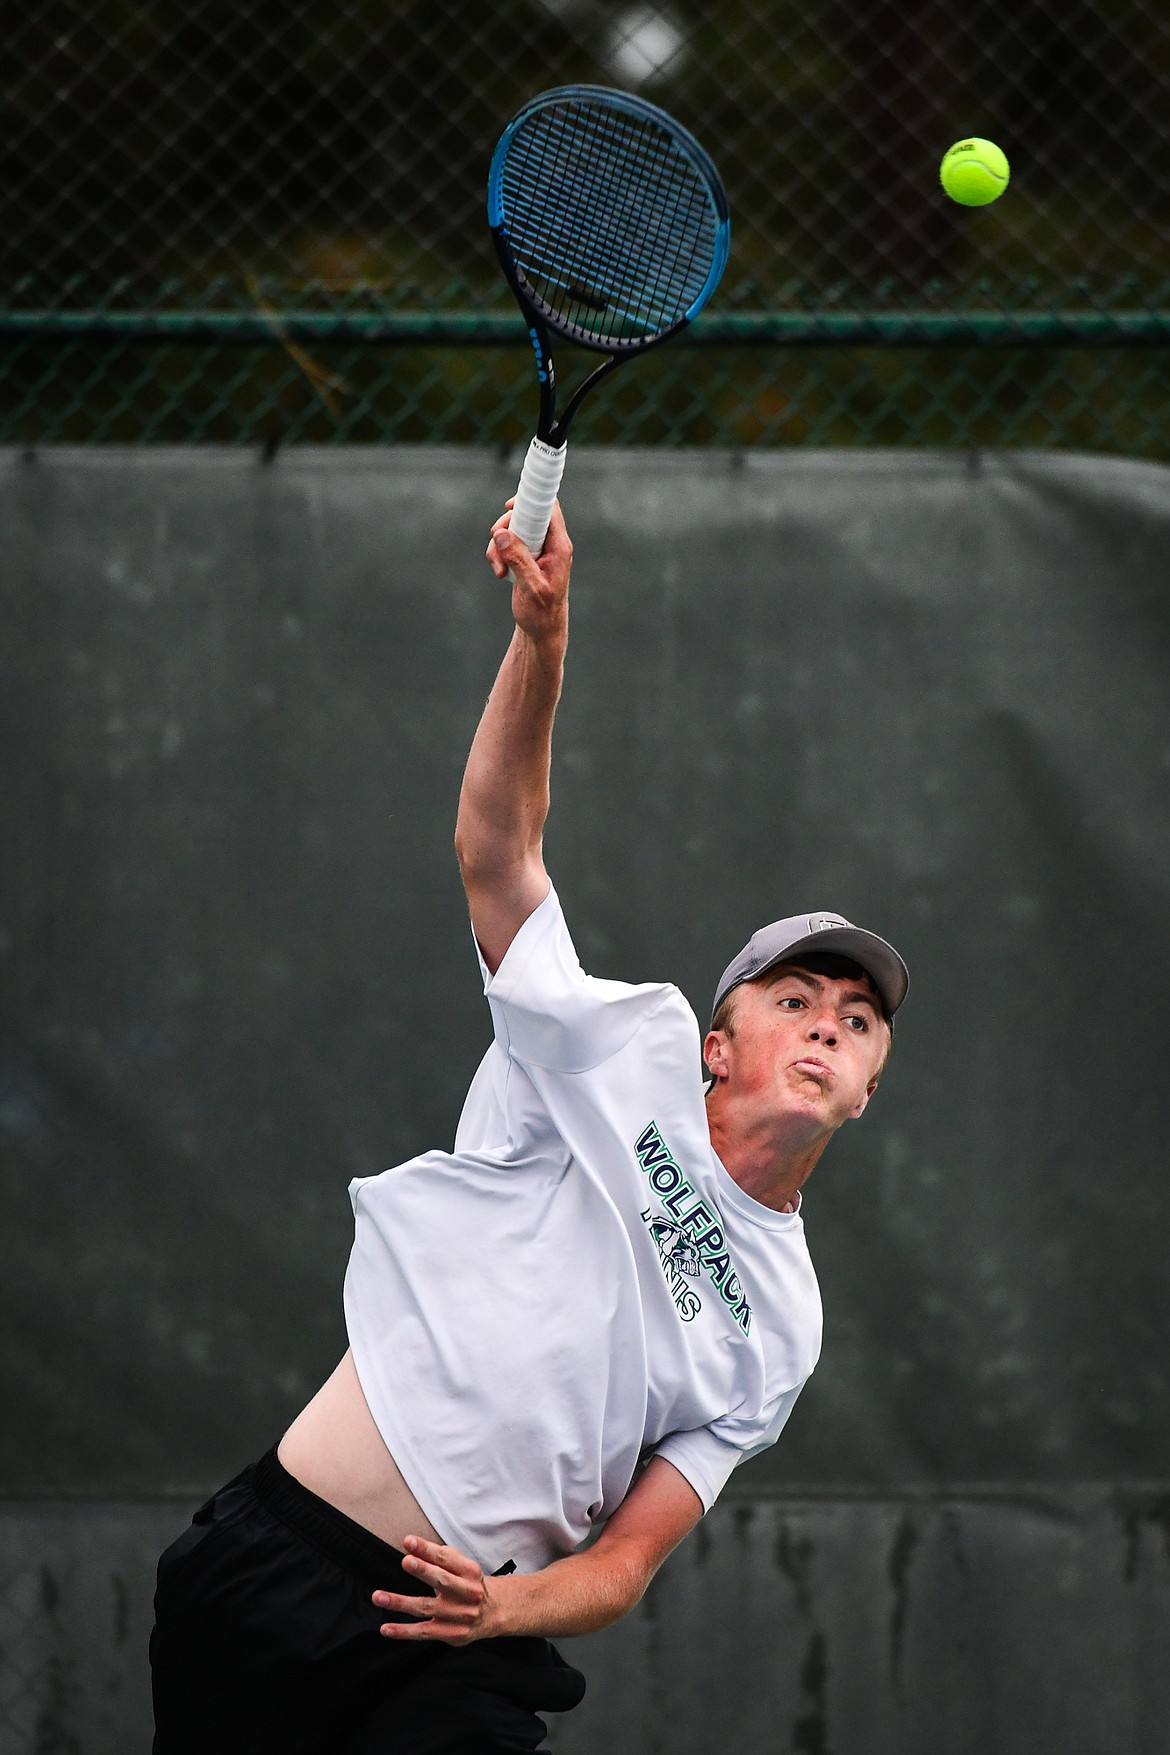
[[808, 1043]]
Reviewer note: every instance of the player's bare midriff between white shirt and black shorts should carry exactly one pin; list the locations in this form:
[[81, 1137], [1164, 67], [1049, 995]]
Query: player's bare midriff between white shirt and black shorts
[[336, 1451]]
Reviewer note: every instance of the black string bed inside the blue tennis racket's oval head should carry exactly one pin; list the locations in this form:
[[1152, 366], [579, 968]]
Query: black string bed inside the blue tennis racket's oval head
[[610, 222]]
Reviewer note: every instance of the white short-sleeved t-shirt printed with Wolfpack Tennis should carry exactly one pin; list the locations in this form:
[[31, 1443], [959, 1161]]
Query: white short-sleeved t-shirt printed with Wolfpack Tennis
[[580, 1282]]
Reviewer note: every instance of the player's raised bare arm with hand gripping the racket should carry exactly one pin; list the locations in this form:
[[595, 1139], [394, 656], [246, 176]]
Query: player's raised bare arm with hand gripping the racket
[[506, 785]]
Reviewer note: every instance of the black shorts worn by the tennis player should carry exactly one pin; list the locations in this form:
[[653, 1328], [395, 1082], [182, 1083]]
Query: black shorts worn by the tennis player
[[266, 1644]]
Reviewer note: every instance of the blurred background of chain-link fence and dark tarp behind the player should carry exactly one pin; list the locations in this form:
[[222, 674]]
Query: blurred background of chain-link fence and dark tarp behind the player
[[871, 615]]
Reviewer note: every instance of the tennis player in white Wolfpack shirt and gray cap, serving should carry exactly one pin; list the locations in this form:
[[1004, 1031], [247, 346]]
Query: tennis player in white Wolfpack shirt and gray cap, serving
[[580, 1321]]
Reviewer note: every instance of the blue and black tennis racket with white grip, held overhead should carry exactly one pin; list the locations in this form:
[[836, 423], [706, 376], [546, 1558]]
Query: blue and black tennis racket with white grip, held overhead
[[613, 231]]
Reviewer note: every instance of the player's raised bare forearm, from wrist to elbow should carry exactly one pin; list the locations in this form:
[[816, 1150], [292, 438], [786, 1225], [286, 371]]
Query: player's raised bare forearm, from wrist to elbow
[[504, 801]]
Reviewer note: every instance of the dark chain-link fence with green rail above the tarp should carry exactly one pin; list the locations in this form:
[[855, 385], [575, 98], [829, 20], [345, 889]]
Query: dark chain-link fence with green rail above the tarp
[[266, 220]]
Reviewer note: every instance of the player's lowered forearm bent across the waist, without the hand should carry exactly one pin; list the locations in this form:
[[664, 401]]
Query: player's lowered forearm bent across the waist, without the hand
[[576, 1596]]
